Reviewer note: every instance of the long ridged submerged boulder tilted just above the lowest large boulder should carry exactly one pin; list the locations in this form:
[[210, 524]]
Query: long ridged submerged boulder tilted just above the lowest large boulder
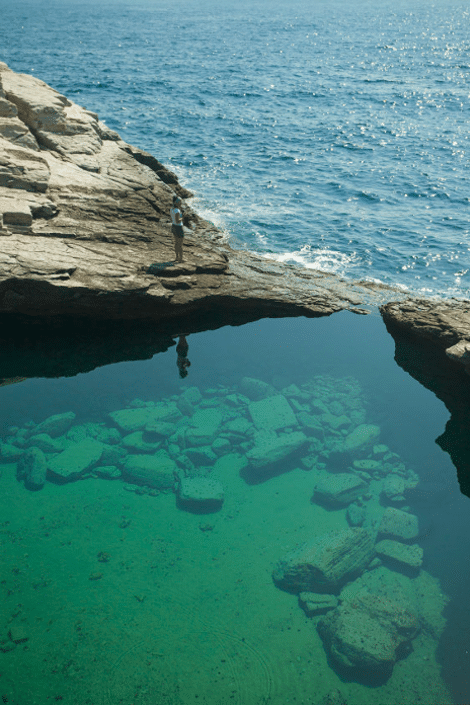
[[326, 562]]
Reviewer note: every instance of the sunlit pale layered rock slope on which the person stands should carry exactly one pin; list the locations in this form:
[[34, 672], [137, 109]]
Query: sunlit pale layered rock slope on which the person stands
[[85, 228]]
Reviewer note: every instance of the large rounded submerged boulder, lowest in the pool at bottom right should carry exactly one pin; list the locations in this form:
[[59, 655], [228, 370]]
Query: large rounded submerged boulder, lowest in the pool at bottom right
[[368, 634]]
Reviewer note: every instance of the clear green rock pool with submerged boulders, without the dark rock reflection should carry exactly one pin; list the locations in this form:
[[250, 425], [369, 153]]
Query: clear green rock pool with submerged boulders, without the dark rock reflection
[[277, 525]]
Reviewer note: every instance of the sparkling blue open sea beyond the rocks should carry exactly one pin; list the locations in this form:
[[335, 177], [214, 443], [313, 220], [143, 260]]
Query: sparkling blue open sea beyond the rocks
[[329, 134]]
